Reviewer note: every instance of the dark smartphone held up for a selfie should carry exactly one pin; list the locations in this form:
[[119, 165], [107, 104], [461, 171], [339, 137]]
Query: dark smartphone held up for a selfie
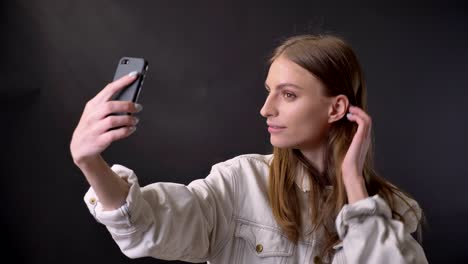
[[125, 66]]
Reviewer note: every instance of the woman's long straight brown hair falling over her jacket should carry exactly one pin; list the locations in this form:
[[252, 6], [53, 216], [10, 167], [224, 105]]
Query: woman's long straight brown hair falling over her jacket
[[331, 60]]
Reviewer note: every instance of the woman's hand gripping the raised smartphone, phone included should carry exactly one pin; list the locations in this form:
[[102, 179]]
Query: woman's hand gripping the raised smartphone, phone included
[[99, 124]]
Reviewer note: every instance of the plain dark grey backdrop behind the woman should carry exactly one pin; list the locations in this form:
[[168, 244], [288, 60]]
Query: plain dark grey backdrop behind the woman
[[202, 98]]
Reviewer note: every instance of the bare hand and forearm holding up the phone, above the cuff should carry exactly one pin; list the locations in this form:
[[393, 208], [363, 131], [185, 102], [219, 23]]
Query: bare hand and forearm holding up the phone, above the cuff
[[96, 130]]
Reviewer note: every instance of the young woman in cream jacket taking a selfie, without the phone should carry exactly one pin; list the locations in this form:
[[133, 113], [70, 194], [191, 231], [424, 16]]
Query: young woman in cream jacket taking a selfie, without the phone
[[315, 199]]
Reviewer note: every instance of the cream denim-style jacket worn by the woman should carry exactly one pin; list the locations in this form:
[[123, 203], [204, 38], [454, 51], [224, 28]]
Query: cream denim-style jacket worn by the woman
[[226, 218]]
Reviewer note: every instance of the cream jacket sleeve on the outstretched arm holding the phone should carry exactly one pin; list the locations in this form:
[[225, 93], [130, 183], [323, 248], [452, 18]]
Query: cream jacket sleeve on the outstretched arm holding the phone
[[171, 221]]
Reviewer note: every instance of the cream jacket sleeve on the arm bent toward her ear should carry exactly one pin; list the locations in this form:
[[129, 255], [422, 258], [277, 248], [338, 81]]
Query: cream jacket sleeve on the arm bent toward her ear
[[370, 235]]
